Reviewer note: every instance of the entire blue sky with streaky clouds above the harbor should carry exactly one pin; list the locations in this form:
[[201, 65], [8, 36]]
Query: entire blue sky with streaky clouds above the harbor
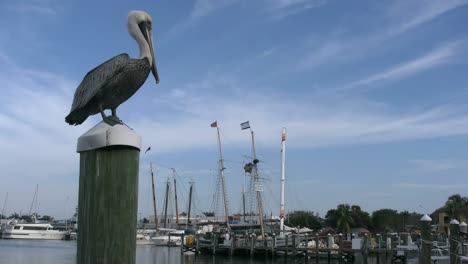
[[373, 94]]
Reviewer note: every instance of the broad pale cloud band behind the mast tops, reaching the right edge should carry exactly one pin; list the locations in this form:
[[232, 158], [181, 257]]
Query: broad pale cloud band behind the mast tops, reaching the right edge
[[314, 122]]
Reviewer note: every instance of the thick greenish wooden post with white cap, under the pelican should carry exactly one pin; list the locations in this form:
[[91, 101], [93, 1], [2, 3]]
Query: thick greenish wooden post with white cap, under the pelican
[[108, 194]]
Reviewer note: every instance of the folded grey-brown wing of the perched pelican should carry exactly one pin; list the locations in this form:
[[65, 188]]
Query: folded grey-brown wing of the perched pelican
[[96, 79]]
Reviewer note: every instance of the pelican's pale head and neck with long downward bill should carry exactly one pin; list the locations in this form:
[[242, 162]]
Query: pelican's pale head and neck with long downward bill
[[140, 25]]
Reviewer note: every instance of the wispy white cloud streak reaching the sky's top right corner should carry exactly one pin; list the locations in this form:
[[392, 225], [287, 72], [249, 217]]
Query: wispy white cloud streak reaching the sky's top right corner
[[400, 19]]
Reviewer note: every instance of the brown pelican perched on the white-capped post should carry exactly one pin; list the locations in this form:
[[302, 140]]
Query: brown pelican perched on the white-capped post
[[116, 80]]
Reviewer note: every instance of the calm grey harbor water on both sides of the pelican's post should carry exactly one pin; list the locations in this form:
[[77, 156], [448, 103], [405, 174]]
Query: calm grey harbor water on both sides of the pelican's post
[[17, 251]]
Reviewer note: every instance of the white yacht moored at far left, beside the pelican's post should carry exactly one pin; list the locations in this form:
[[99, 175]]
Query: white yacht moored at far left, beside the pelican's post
[[13, 229]]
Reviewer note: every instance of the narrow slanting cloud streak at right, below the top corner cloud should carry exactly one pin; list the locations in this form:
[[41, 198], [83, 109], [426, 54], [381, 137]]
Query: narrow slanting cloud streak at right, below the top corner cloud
[[439, 56]]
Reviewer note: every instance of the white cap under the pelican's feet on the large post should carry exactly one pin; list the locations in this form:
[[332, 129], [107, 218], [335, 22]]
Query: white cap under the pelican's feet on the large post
[[104, 135]]
